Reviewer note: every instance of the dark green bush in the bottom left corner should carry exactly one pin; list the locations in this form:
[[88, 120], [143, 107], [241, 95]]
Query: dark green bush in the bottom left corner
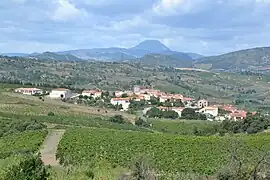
[[30, 168]]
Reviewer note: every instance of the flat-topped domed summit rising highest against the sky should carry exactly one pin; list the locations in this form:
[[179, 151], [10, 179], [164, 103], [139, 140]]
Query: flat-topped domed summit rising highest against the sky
[[152, 46]]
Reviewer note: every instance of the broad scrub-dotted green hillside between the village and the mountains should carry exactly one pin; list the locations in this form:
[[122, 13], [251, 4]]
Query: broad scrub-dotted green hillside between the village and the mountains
[[250, 88]]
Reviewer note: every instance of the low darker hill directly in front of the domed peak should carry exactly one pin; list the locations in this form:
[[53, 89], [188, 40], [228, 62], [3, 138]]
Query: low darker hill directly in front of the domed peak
[[164, 60]]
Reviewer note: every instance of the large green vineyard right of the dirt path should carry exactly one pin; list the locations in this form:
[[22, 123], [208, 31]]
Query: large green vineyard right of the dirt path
[[204, 155]]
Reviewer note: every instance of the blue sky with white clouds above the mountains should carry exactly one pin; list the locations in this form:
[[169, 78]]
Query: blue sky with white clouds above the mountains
[[207, 27]]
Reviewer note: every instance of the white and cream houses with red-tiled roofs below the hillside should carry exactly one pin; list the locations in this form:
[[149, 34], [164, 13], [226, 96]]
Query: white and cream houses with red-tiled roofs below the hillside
[[124, 99]]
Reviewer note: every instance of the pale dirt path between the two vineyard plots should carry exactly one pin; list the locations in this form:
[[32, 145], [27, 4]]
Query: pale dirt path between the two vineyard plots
[[49, 147]]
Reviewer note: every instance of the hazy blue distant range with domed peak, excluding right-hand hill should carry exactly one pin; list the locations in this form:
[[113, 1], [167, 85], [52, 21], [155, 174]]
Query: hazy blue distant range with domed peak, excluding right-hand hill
[[113, 54]]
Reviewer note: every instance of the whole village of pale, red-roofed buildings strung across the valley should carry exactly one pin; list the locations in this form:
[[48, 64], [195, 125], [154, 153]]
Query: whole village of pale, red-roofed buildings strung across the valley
[[164, 101]]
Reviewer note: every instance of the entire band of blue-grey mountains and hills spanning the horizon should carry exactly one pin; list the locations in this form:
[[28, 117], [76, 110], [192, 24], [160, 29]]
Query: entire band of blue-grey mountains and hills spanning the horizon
[[153, 52]]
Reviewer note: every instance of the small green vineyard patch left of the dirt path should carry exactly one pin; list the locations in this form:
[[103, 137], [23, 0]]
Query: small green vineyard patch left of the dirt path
[[21, 142]]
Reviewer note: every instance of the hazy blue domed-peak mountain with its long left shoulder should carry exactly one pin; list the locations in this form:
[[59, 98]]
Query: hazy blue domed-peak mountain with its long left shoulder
[[118, 54]]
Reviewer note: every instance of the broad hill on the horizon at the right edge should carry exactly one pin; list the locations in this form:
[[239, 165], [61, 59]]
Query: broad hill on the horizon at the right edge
[[250, 59]]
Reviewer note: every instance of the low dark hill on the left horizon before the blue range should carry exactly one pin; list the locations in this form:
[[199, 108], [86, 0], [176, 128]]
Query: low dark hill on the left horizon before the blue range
[[54, 56]]
